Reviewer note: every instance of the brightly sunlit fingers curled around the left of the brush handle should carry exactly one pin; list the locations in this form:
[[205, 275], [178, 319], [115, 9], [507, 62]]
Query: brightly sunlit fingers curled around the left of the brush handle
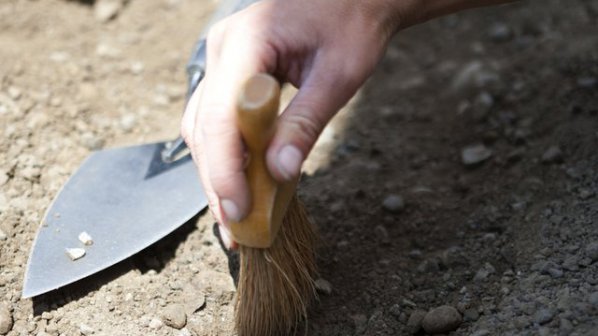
[[209, 123]]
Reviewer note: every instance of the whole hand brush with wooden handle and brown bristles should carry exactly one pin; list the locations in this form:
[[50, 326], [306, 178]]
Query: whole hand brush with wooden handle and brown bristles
[[277, 239]]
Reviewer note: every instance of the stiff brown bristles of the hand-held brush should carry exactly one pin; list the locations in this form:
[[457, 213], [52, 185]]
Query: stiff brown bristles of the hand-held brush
[[276, 285]]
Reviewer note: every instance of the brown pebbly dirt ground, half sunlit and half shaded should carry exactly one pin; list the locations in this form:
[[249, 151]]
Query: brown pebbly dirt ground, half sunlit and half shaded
[[411, 215]]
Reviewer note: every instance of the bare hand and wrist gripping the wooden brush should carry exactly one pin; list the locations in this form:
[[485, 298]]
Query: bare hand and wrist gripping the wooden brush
[[325, 48]]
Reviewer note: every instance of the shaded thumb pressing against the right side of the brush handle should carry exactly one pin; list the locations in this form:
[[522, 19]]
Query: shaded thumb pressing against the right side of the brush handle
[[320, 96]]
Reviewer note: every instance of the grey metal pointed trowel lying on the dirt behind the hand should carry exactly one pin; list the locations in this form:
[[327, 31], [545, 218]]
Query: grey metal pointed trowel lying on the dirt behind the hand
[[120, 200]]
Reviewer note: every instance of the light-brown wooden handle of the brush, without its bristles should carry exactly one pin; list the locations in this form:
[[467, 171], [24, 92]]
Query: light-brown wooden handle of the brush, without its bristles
[[257, 110]]
